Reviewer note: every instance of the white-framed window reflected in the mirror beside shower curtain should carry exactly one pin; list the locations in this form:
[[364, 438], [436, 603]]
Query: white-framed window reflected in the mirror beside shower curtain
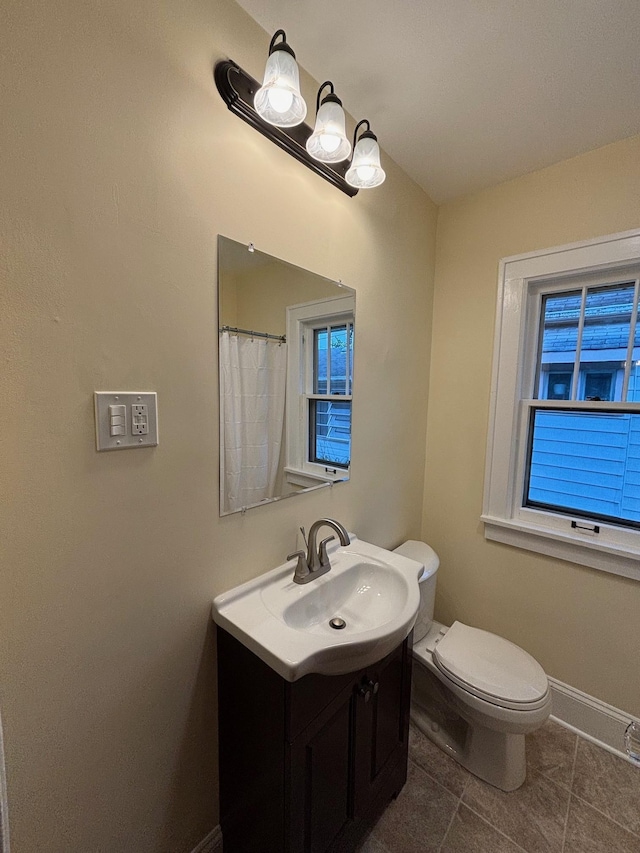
[[320, 377]]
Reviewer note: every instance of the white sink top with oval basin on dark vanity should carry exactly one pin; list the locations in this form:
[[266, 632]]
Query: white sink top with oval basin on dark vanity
[[374, 591]]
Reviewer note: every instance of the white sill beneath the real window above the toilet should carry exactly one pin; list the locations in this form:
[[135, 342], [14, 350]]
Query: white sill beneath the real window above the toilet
[[607, 557]]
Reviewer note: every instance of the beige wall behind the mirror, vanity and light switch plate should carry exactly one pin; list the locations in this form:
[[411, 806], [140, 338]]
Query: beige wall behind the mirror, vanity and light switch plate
[[120, 165]]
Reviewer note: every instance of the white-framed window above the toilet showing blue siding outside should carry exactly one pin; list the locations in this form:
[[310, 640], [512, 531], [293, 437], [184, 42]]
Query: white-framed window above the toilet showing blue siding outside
[[563, 458]]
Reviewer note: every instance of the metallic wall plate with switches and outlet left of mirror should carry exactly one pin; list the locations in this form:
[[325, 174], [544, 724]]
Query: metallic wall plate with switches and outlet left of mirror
[[135, 403]]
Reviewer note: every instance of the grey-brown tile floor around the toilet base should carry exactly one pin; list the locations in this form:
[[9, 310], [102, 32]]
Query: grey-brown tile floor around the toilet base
[[577, 798]]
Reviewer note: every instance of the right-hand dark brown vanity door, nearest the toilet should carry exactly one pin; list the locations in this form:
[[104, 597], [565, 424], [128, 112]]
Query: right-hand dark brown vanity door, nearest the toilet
[[381, 728]]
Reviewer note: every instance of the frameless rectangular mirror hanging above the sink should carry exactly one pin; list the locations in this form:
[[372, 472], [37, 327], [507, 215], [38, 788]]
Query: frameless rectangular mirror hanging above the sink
[[286, 375]]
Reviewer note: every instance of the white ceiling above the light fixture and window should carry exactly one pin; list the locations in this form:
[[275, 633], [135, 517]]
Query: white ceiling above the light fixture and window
[[463, 94]]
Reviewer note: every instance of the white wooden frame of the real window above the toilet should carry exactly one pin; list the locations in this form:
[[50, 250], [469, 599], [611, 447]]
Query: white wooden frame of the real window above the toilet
[[521, 281]]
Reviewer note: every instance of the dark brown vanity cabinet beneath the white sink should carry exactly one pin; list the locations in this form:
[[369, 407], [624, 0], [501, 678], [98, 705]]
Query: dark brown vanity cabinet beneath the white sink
[[305, 767]]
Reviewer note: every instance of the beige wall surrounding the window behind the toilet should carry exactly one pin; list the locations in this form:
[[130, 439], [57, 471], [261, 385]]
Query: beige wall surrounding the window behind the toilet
[[581, 624]]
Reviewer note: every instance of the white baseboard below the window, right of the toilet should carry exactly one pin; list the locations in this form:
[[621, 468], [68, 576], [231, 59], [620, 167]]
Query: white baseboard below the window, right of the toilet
[[589, 717]]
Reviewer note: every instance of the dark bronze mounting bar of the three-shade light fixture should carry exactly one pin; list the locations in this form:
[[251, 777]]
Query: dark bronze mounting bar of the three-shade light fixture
[[237, 89]]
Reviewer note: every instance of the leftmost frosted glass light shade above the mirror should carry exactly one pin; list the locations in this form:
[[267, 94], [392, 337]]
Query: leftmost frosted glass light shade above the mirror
[[279, 101]]
